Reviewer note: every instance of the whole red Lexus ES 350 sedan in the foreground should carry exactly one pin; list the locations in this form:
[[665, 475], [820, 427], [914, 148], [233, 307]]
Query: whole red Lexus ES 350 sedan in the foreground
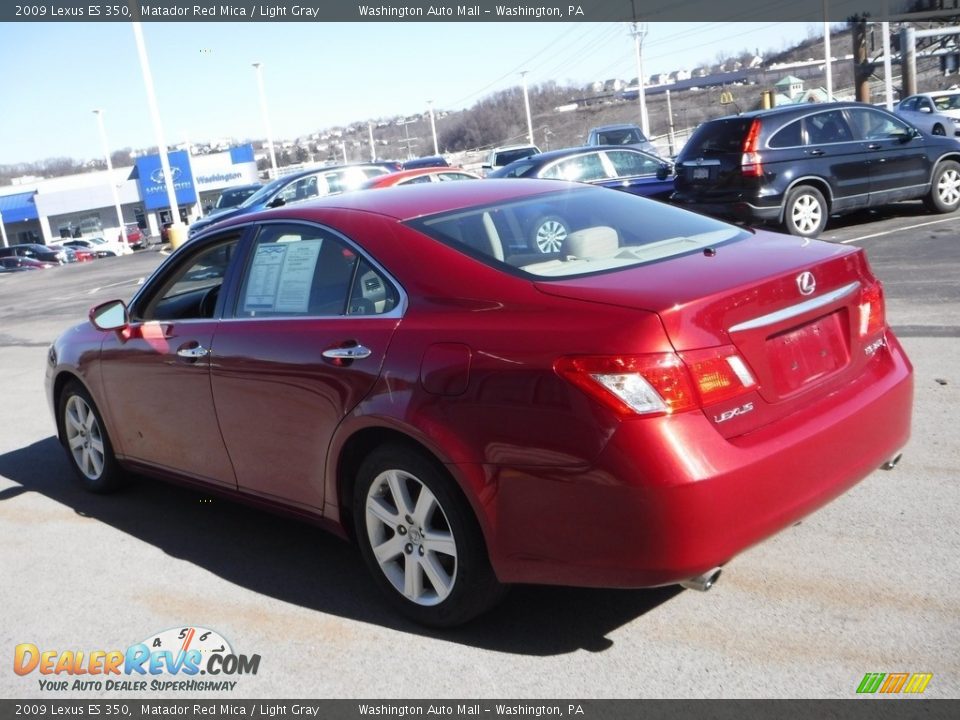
[[406, 368]]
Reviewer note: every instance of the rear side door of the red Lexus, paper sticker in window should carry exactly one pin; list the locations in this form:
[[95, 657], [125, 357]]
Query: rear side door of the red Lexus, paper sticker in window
[[310, 324]]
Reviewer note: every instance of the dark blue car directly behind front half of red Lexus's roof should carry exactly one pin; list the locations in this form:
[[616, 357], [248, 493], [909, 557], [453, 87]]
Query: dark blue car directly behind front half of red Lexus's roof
[[296, 187]]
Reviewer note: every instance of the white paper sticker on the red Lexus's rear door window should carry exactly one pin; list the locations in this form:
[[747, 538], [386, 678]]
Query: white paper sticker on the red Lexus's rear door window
[[281, 276]]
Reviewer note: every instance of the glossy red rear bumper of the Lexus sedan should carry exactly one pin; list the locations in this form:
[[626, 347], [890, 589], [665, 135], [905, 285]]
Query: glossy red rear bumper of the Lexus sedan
[[670, 498]]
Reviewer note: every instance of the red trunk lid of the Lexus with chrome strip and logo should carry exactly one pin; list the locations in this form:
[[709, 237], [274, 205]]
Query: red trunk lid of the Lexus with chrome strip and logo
[[791, 307]]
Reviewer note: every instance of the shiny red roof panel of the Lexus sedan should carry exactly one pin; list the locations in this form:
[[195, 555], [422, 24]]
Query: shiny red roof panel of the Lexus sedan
[[406, 202]]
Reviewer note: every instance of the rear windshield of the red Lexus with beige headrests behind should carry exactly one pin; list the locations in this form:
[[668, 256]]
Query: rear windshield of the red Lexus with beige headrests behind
[[576, 232]]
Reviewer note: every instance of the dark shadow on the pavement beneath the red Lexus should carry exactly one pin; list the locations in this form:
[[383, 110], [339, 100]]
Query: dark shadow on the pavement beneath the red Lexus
[[301, 564]]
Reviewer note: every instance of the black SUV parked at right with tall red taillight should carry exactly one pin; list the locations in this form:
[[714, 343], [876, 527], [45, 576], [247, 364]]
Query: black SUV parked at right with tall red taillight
[[798, 164]]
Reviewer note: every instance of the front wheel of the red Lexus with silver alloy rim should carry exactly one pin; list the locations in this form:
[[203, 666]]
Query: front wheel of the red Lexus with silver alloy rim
[[86, 442]]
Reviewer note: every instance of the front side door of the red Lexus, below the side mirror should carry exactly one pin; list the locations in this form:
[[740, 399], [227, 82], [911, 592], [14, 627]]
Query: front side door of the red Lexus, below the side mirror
[[156, 373]]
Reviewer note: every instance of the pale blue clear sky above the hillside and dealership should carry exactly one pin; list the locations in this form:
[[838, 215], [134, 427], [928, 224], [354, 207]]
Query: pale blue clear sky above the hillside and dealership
[[316, 75]]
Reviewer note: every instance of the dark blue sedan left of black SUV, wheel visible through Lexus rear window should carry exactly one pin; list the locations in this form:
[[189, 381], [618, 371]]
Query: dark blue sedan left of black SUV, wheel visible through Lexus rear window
[[619, 168]]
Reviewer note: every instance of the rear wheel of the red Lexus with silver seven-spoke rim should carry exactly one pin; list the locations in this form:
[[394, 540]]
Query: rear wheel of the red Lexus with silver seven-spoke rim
[[420, 539]]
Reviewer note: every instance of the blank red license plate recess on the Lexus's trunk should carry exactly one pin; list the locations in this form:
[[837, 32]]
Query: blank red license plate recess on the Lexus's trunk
[[806, 354]]
